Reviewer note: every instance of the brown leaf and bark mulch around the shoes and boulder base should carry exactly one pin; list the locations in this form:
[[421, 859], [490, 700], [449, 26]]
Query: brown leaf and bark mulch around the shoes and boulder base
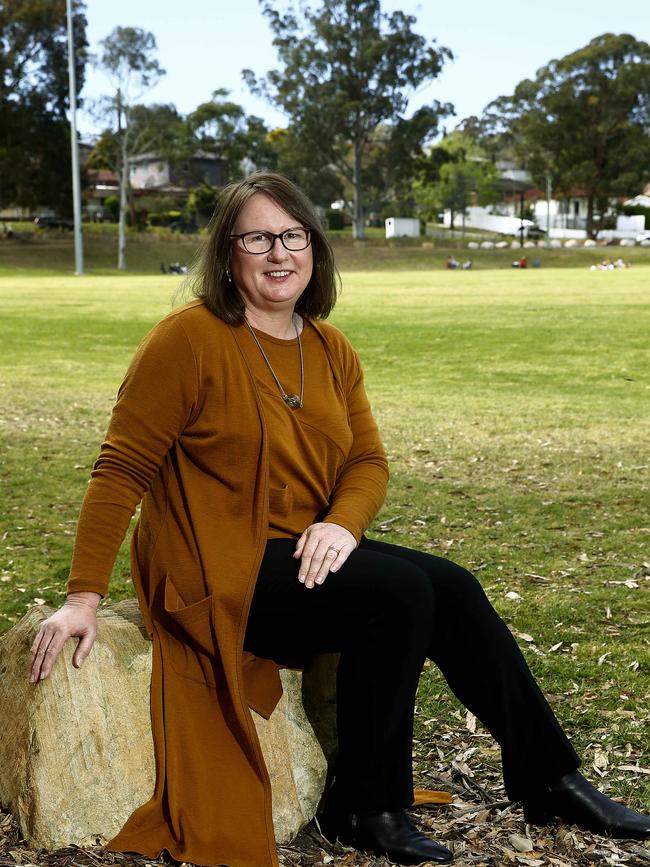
[[481, 826]]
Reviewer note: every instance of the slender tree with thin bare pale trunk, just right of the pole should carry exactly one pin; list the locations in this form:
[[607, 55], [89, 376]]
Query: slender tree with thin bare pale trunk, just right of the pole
[[127, 57]]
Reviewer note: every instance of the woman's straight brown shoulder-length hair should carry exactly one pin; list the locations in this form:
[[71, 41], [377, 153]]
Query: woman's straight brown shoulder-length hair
[[209, 279]]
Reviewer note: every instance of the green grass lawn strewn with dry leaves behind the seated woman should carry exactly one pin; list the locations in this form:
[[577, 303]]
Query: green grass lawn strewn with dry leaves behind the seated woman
[[514, 407]]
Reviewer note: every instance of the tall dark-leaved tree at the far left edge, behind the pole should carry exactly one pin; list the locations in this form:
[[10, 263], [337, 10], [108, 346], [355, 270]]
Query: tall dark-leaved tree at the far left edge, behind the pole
[[34, 131]]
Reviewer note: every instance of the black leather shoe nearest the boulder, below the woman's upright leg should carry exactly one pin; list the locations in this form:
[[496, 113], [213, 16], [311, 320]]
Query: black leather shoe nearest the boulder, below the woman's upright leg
[[388, 833]]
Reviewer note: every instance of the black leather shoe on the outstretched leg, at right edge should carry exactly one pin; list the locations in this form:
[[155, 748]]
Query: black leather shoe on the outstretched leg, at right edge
[[576, 801]]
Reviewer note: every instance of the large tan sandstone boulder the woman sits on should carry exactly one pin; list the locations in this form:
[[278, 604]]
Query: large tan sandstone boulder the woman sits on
[[76, 752]]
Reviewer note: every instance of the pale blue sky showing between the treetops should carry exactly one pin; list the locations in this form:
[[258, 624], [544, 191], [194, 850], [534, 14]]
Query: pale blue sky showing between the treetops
[[204, 44]]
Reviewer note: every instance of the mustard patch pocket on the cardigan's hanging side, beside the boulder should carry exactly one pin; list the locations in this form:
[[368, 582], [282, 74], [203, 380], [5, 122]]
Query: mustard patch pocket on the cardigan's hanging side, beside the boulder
[[190, 637]]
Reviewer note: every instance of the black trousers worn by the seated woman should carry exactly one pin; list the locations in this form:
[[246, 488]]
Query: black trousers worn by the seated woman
[[387, 610]]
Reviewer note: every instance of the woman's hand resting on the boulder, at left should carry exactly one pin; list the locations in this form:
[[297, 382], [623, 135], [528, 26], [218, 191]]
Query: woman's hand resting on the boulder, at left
[[77, 617]]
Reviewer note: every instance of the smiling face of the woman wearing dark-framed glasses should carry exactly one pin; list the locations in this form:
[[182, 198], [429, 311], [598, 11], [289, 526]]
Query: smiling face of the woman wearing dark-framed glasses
[[268, 281]]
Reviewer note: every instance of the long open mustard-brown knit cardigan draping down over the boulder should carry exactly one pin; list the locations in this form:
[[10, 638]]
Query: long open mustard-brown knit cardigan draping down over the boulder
[[188, 438]]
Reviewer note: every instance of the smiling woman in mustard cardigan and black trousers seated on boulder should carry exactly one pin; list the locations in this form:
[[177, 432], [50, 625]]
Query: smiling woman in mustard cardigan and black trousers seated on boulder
[[244, 428]]
